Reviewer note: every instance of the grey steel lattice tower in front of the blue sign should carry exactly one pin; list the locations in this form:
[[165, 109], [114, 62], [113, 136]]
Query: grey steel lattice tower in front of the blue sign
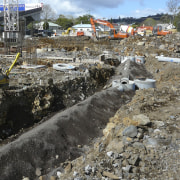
[[11, 24]]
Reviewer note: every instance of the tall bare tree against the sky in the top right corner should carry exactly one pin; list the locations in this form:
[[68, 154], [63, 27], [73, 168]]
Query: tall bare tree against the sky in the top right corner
[[173, 6]]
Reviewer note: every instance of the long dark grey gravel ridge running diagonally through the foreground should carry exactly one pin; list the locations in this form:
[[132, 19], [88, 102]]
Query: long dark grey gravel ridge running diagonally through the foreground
[[60, 136]]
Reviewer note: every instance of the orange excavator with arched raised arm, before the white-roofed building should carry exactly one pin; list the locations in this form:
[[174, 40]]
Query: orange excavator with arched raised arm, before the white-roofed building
[[113, 33]]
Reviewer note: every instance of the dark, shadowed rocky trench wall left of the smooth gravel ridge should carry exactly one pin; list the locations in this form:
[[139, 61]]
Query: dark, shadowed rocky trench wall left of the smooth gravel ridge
[[21, 108]]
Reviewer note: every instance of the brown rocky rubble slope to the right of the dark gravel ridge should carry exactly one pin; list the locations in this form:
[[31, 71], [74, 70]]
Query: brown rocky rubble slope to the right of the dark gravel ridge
[[142, 140]]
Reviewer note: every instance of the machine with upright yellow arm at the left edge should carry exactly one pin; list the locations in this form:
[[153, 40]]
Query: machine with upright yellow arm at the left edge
[[4, 76]]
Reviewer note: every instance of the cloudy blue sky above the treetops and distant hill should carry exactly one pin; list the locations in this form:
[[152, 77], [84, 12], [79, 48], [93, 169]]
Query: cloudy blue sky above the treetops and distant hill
[[106, 8]]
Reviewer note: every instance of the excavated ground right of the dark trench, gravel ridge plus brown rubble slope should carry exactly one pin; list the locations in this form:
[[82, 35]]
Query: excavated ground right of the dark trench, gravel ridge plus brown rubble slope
[[140, 141]]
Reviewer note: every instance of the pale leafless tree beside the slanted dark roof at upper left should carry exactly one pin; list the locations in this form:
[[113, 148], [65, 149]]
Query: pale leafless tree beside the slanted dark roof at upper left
[[48, 13]]
